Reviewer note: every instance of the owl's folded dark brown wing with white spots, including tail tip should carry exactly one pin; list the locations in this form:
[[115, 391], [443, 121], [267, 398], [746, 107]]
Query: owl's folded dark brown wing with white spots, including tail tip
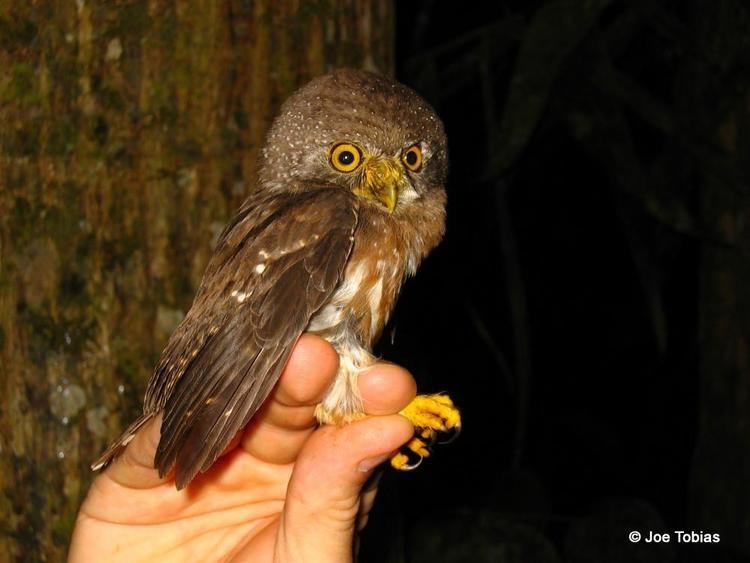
[[276, 264]]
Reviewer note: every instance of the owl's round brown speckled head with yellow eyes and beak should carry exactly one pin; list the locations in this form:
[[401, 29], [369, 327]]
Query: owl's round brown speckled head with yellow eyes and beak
[[362, 131]]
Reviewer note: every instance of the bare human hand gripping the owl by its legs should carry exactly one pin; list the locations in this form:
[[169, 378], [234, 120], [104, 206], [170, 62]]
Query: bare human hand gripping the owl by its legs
[[285, 490]]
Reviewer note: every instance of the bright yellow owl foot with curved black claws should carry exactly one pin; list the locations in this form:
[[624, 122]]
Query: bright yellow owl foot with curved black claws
[[431, 416]]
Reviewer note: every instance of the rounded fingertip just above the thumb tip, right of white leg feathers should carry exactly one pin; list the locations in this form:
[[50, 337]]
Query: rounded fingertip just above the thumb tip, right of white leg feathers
[[386, 388]]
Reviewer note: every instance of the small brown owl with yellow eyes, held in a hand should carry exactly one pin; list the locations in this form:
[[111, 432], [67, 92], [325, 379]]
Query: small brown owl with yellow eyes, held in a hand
[[350, 199]]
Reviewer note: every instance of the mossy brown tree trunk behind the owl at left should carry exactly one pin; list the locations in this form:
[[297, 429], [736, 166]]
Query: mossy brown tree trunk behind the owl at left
[[129, 132]]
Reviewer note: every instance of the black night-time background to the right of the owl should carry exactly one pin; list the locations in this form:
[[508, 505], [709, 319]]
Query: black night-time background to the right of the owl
[[562, 310]]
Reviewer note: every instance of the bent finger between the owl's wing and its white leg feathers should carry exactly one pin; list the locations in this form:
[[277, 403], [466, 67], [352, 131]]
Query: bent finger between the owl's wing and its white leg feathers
[[279, 430]]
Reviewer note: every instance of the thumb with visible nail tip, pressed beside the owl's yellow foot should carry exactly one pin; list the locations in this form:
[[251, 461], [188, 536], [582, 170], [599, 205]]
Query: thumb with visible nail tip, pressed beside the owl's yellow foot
[[323, 497]]
